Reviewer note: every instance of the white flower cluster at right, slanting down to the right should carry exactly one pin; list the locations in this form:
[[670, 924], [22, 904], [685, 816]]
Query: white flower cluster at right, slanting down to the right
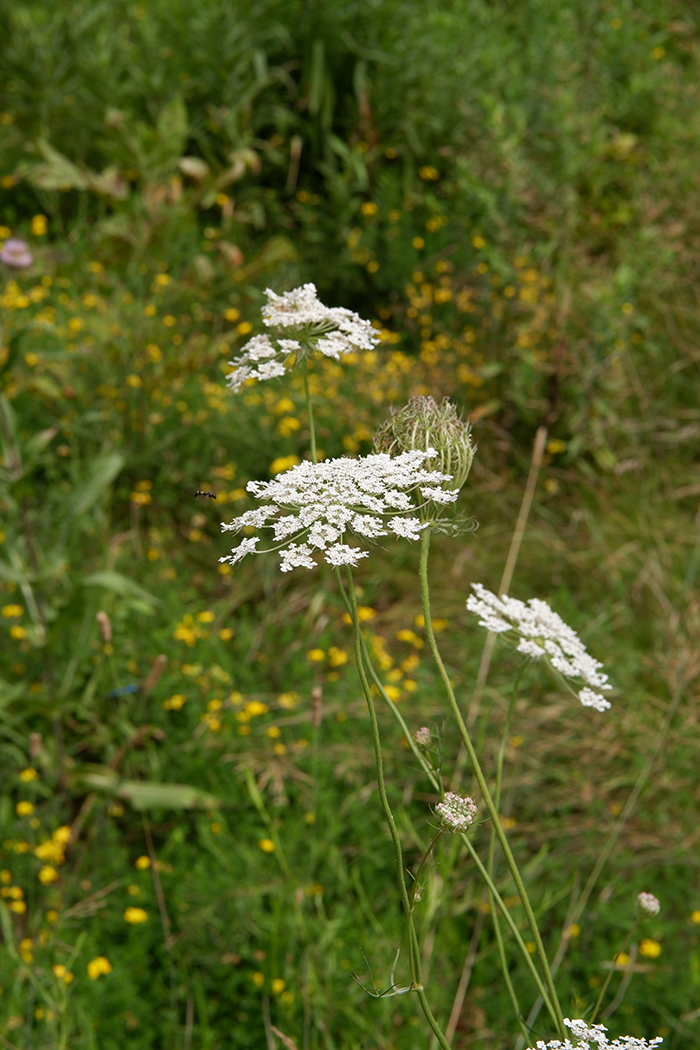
[[543, 634]]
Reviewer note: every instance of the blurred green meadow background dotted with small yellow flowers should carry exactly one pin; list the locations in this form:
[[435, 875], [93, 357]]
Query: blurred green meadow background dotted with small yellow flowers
[[193, 851]]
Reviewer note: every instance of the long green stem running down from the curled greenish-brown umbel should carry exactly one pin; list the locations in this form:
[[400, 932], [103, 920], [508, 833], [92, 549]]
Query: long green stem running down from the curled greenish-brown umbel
[[481, 780]]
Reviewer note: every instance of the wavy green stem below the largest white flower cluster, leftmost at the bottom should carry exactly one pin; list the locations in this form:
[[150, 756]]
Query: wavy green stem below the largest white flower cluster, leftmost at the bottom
[[414, 956]]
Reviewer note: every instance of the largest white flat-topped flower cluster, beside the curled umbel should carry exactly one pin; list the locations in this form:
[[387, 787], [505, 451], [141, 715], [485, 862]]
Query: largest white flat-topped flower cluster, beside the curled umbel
[[319, 503]]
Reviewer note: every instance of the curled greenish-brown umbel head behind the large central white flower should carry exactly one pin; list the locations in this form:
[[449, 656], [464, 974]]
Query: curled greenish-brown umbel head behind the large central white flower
[[427, 424]]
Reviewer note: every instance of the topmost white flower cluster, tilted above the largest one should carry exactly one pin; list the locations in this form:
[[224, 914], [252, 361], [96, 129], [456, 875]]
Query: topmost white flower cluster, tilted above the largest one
[[332, 331]]
